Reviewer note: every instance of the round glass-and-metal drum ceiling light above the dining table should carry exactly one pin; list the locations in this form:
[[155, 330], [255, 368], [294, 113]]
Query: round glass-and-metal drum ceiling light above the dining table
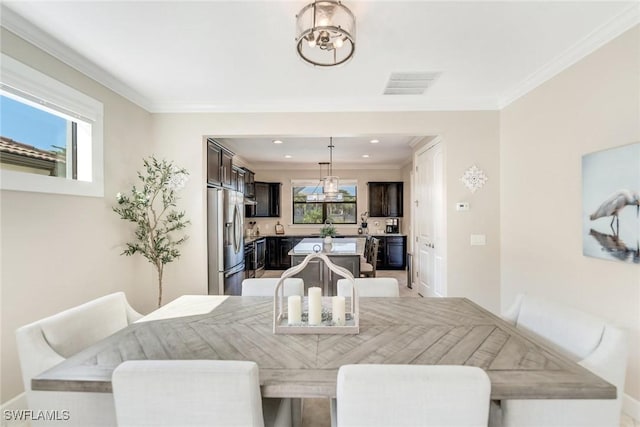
[[325, 33]]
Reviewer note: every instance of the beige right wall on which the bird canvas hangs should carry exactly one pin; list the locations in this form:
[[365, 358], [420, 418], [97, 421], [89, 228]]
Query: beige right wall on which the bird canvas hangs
[[591, 106]]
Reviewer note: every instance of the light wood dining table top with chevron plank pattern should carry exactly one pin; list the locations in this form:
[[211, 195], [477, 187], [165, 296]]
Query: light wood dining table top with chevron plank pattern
[[429, 331]]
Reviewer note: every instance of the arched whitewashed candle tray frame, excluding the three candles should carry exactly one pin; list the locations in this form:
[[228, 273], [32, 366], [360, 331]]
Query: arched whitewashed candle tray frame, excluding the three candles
[[280, 315]]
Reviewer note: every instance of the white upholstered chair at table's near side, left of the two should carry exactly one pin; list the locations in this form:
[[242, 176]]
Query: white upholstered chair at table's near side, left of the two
[[184, 393]]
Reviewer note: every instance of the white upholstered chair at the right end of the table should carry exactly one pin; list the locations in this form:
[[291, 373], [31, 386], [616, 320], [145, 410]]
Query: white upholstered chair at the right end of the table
[[595, 343]]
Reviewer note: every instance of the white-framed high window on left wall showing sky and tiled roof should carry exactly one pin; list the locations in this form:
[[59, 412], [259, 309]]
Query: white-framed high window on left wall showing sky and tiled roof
[[50, 134]]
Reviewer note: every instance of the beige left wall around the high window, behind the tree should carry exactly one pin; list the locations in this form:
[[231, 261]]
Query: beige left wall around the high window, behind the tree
[[58, 251]]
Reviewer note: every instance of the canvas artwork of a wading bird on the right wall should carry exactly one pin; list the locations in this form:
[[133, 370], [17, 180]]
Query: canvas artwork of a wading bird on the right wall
[[611, 204]]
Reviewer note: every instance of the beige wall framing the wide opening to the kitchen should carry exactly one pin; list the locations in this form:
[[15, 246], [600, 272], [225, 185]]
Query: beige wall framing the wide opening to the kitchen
[[469, 137]]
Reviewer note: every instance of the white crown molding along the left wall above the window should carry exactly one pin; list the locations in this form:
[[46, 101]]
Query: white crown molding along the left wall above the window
[[34, 35]]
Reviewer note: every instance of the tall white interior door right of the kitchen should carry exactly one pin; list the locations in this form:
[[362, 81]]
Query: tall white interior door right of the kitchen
[[430, 222]]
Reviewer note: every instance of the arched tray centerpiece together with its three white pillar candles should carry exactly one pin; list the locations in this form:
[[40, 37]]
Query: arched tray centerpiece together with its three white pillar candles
[[315, 314]]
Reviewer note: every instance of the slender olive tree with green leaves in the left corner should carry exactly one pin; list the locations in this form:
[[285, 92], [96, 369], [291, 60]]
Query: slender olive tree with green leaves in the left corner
[[150, 206]]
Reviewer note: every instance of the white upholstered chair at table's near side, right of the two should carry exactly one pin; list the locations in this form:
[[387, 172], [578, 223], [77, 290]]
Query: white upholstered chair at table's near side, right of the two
[[412, 395]]
